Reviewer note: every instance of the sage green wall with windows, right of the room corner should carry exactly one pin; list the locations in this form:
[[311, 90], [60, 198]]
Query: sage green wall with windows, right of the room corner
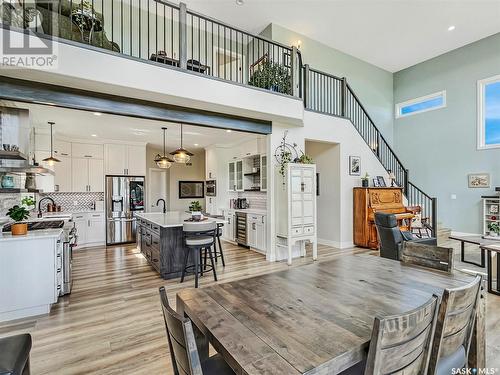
[[440, 147]]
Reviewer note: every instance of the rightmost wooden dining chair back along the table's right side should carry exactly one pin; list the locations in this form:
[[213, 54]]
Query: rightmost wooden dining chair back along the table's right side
[[454, 327]]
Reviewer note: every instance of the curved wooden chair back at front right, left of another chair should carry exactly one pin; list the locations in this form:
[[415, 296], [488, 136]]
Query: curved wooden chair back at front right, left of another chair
[[401, 343]]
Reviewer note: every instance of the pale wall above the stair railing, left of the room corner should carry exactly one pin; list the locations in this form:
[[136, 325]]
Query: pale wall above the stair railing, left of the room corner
[[373, 85]]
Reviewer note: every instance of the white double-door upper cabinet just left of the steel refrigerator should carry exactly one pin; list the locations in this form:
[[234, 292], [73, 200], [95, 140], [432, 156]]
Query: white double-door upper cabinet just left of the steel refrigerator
[[87, 175]]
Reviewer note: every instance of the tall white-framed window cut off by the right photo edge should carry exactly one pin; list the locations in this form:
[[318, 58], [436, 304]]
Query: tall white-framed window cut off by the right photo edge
[[489, 112]]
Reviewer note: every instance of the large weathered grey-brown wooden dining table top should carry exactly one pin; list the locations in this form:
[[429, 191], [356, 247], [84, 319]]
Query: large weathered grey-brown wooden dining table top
[[313, 319]]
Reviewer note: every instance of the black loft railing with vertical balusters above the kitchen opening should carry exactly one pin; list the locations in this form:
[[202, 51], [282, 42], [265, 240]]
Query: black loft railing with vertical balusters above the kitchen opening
[[163, 32]]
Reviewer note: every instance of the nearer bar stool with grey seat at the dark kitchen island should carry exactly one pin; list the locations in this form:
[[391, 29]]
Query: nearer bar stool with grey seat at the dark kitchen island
[[198, 237]]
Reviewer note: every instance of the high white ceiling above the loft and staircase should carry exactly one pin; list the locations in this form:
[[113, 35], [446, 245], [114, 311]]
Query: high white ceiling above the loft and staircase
[[391, 34]]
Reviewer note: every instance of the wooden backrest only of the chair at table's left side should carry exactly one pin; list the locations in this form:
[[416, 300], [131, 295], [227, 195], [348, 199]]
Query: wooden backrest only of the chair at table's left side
[[181, 341]]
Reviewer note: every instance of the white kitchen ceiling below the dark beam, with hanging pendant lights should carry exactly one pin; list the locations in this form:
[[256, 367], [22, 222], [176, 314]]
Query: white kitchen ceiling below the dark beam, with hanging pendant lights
[[83, 125]]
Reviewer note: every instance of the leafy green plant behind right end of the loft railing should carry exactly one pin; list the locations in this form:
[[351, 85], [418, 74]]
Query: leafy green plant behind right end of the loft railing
[[272, 76]]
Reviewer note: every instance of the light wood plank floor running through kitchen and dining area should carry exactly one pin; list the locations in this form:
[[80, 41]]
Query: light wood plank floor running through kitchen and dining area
[[112, 321]]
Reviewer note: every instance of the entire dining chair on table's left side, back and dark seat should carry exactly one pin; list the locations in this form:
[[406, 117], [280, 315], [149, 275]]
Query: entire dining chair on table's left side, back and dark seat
[[182, 345]]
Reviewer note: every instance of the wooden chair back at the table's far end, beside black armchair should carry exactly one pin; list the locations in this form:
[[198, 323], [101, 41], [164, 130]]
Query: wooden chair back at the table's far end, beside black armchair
[[435, 257]]
